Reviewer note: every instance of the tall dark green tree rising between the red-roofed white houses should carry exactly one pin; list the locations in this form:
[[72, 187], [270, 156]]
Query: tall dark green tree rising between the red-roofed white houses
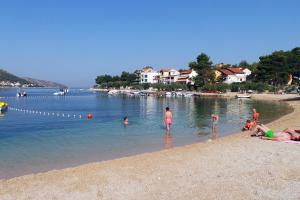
[[203, 66]]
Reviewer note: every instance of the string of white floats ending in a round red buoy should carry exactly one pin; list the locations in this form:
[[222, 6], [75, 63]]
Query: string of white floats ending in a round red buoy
[[51, 114]]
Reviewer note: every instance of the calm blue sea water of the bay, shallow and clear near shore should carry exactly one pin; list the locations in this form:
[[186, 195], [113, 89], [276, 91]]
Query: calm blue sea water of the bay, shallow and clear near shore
[[44, 132]]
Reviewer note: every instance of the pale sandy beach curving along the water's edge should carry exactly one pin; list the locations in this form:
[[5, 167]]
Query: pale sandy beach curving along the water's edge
[[233, 167]]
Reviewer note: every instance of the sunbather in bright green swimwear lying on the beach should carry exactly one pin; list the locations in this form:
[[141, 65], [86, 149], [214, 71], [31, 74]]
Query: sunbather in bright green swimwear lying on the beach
[[267, 134]]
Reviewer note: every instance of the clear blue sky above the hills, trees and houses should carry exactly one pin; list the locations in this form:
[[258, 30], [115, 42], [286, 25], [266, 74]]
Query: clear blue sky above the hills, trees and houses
[[72, 41]]
